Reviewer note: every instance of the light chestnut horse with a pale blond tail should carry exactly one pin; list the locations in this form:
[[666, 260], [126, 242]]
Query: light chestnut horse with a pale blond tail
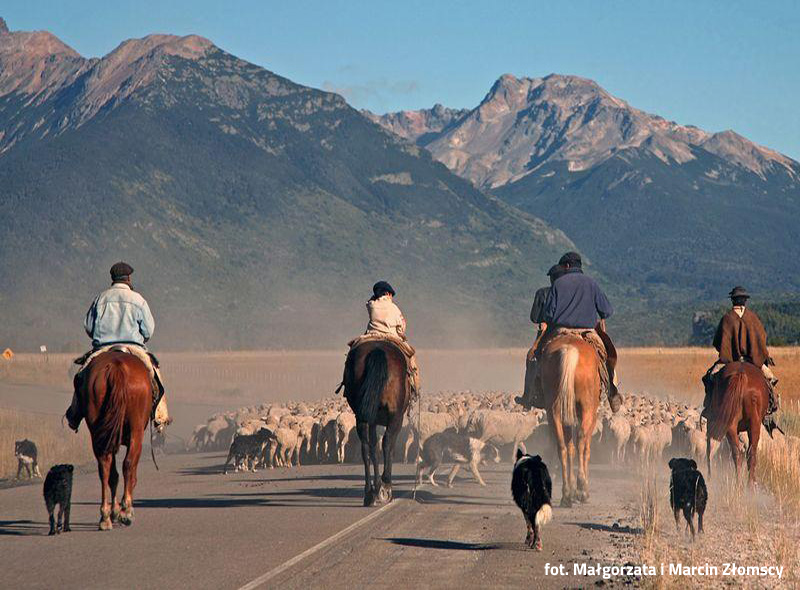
[[571, 384]]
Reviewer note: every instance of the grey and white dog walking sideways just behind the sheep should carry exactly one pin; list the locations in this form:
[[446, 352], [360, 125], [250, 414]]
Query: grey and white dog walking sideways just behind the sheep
[[451, 445]]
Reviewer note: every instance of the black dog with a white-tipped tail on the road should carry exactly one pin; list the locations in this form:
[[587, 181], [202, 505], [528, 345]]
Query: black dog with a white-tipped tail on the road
[[532, 489]]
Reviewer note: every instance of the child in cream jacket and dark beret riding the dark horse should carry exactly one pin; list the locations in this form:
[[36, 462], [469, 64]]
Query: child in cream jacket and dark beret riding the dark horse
[[386, 322]]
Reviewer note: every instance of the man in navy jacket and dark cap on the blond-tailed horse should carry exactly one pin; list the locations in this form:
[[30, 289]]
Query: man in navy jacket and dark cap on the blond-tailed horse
[[573, 307]]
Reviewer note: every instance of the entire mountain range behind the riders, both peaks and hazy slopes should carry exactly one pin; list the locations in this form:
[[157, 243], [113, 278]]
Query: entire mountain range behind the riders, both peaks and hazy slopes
[[258, 212]]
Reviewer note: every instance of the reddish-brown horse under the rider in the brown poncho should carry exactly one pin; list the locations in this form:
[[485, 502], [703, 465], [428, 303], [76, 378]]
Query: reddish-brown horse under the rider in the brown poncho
[[738, 404]]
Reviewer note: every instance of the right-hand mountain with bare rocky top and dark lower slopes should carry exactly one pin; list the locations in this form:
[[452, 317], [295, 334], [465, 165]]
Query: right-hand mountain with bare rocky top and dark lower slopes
[[671, 212]]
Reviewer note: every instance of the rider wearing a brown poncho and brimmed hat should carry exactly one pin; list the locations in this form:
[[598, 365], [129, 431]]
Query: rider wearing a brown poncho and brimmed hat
[[740, 335]]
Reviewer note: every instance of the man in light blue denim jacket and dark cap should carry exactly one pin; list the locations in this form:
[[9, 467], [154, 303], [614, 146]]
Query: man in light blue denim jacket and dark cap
[[119, 316]]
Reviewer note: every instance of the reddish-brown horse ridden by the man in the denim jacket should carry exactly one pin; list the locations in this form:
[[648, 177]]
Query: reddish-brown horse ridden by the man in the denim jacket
[[115, 395]]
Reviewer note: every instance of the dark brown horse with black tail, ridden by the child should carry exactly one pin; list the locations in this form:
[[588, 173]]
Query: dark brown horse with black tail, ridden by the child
[[377, 388]]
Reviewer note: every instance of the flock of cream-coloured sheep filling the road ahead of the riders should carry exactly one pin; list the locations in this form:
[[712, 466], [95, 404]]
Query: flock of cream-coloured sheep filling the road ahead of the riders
[[645, 429]]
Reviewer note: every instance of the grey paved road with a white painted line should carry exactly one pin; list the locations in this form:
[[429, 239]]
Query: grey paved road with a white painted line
[[197, 528]]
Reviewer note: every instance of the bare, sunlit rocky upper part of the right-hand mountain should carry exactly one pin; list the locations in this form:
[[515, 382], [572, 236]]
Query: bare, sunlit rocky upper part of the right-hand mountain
[[523, 123]]
